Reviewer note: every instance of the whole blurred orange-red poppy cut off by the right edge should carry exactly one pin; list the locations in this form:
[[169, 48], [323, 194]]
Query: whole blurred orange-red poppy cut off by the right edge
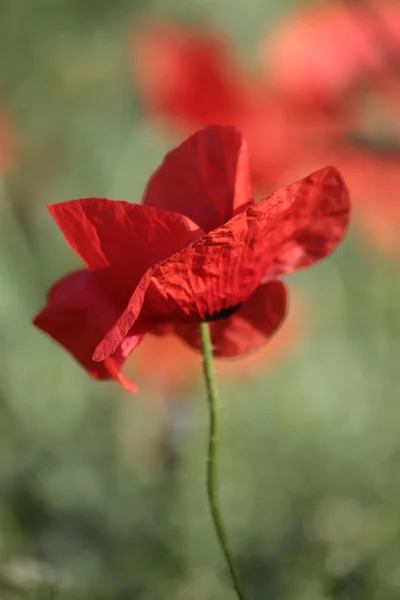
[[318, 55]]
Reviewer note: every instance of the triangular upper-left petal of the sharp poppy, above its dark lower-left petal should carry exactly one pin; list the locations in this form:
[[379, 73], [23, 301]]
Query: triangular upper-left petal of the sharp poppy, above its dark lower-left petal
[[127, 238]]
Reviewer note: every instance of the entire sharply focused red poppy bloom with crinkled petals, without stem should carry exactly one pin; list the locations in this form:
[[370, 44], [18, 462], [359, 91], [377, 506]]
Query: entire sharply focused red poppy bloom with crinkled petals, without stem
[[197, 249]]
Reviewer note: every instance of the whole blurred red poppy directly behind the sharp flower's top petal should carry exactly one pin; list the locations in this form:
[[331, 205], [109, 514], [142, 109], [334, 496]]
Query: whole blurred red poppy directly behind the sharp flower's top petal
[[190, 80]]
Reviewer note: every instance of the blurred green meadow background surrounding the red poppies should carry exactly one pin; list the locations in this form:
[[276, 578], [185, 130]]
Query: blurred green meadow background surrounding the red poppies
[[102, 493]]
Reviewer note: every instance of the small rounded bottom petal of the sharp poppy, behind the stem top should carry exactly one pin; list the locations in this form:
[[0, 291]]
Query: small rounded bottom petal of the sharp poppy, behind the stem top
[[251, 326]]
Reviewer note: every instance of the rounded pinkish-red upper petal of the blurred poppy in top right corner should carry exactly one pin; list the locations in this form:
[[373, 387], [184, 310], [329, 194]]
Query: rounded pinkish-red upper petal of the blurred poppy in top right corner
[[323, 50]]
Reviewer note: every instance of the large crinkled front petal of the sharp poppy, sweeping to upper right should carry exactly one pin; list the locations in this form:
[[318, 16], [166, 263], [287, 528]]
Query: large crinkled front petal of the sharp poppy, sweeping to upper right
[[295, 227]]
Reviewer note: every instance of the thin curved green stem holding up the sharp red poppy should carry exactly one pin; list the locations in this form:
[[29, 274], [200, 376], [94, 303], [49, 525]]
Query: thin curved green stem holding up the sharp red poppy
[[212, 478]]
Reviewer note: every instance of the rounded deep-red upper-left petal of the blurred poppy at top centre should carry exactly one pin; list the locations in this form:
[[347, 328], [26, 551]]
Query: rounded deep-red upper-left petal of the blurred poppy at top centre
[[188, 76]]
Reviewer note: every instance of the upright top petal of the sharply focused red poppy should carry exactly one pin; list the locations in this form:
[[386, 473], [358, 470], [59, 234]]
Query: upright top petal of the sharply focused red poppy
[[206, 178]]
